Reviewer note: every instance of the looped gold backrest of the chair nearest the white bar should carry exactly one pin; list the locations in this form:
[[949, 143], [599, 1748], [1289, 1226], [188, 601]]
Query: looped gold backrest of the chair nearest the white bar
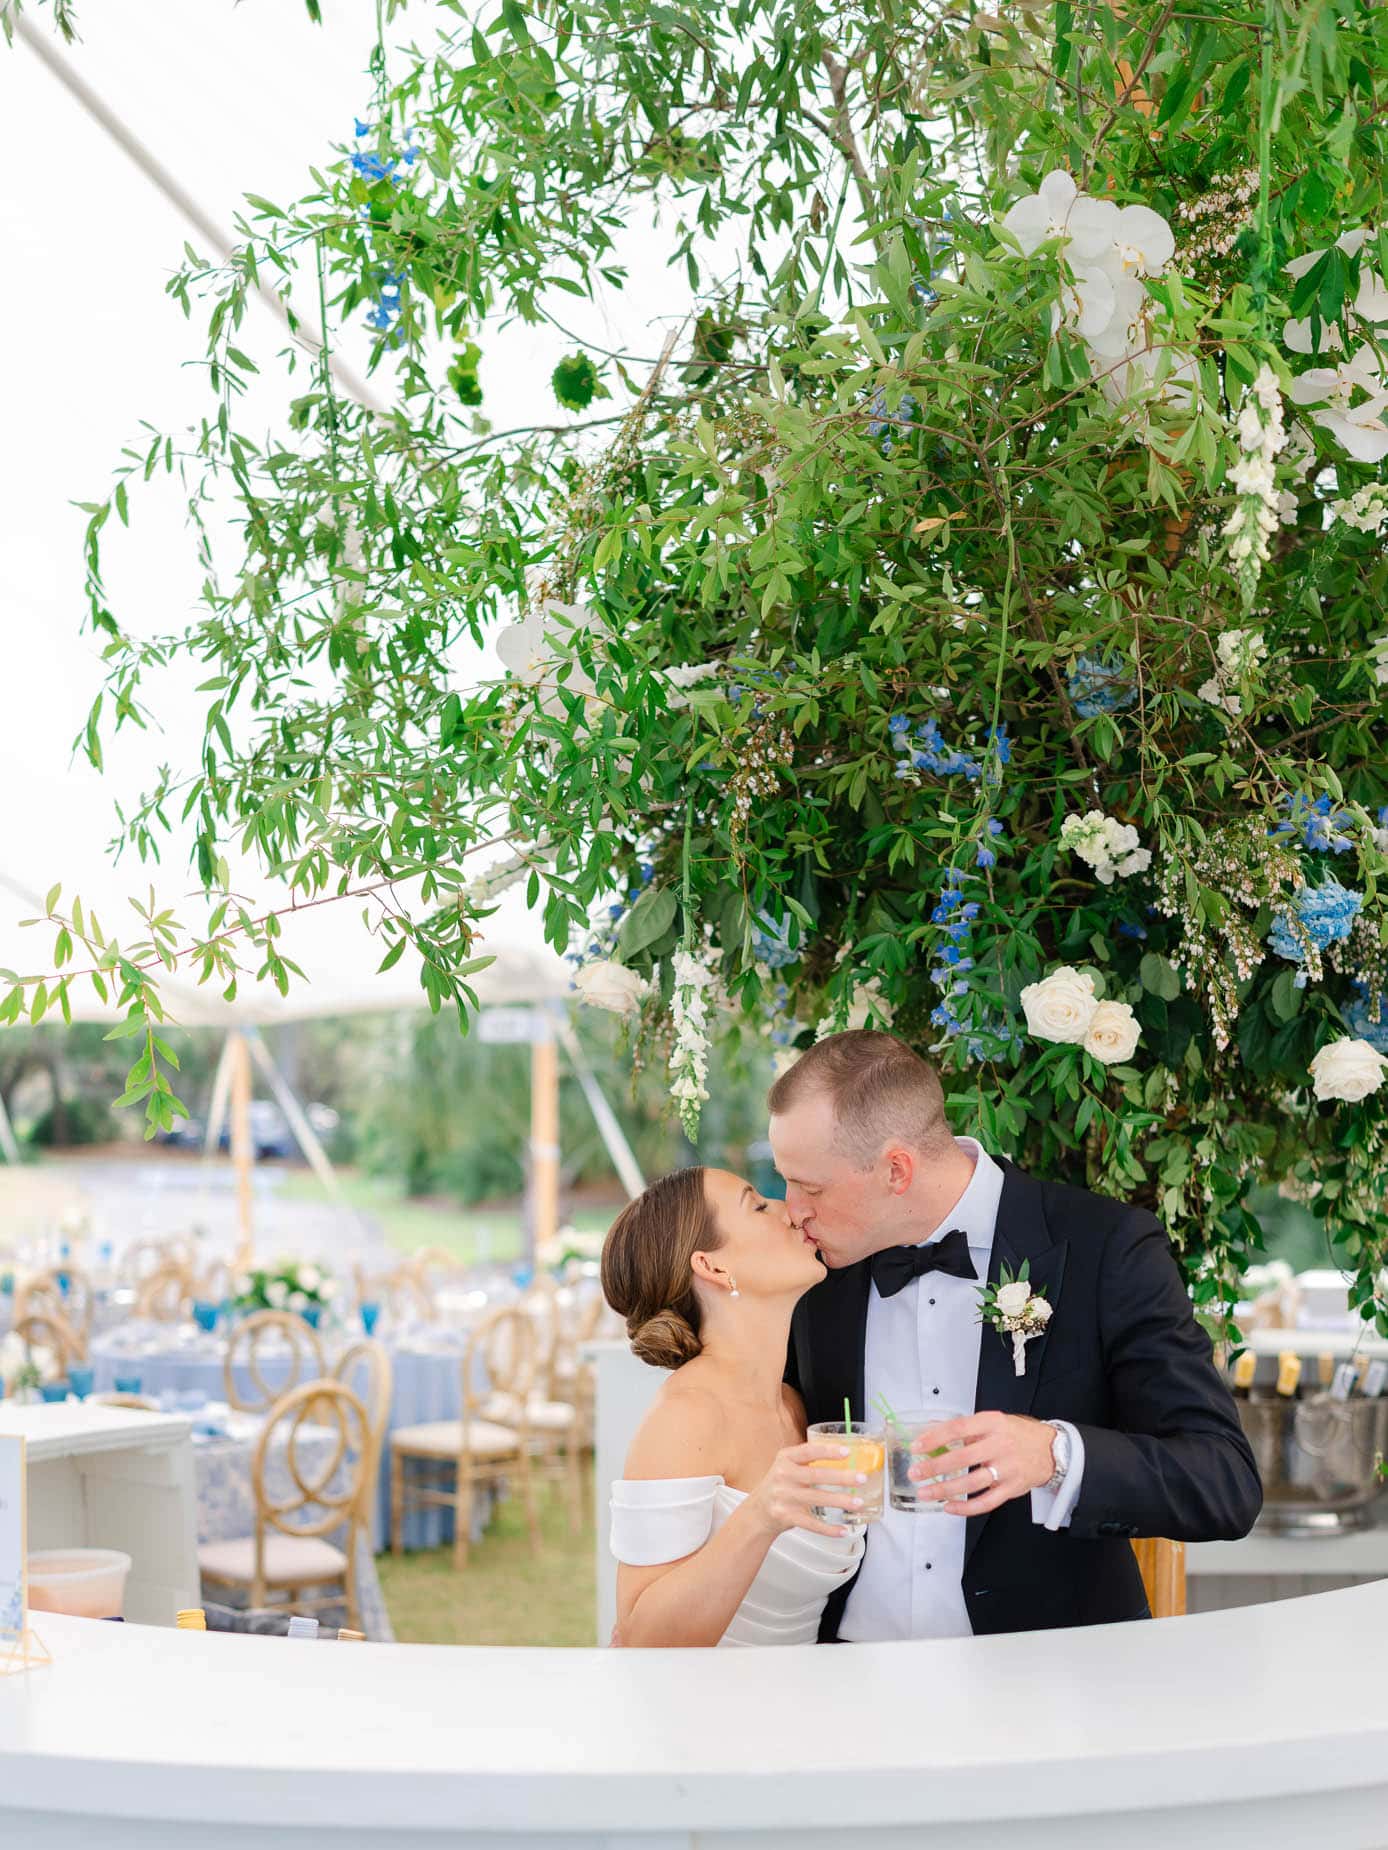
[[314, 1501]]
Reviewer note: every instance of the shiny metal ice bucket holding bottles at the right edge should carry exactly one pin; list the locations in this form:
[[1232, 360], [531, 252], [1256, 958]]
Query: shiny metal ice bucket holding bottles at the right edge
[[1319, 1461]]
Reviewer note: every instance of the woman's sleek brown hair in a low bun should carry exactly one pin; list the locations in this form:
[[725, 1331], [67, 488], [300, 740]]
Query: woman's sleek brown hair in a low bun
[[647, 1266]]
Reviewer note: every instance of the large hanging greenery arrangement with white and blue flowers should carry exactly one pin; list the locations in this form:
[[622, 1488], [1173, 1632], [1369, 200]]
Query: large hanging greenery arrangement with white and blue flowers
[[969, 621]]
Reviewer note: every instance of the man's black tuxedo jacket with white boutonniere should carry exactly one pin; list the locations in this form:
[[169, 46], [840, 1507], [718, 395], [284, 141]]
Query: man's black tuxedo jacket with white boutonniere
[[1122, 1359]]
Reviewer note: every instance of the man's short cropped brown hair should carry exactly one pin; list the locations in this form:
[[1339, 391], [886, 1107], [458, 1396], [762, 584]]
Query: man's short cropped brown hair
[[880, 1089]]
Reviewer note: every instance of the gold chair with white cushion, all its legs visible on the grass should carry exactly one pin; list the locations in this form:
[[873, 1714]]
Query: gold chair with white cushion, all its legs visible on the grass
[[478, 1451]]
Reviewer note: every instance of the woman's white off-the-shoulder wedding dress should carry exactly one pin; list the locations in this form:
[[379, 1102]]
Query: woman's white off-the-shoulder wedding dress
[[663, 1520]]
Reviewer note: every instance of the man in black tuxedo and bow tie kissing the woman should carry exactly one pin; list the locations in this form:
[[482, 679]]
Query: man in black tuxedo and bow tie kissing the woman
[[1121, 1424]]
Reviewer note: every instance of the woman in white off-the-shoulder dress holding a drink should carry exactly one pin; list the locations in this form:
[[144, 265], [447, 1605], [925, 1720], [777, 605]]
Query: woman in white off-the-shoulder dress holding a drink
[[712, 1523]]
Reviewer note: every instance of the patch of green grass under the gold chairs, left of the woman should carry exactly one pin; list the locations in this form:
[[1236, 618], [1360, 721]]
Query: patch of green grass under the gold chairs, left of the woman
[[504, 1596]]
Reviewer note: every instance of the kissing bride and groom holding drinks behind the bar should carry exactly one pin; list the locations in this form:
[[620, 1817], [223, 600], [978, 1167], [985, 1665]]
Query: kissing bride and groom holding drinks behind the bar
[[876, 1285]]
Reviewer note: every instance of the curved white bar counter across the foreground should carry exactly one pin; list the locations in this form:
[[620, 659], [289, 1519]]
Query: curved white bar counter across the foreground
[[1259, 1725]]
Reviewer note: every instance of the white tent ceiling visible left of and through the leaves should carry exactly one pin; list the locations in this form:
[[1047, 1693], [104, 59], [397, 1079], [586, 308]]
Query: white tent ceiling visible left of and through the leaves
[[232, 99]]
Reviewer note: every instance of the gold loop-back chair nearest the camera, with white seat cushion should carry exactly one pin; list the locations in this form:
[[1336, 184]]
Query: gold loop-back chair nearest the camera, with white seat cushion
[[290, 1549]]
